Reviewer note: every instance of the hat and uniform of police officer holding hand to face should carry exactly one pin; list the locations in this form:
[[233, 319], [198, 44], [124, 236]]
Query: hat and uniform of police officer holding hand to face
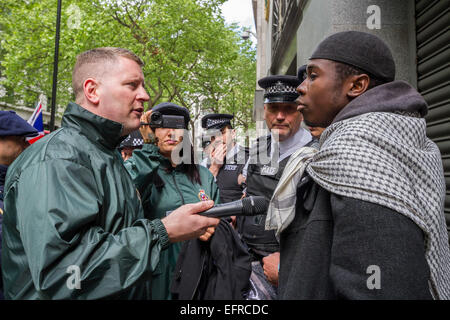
[[234, 162]]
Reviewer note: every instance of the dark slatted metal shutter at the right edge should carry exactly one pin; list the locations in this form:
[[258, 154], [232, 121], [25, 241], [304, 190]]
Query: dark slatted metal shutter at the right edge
[[433, 77]]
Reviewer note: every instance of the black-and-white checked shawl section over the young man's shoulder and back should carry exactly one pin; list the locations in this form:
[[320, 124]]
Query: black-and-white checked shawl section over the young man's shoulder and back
[[387, 159]]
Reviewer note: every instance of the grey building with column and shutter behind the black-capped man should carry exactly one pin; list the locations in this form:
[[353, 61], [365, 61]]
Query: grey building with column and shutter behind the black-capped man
[[417, 31]]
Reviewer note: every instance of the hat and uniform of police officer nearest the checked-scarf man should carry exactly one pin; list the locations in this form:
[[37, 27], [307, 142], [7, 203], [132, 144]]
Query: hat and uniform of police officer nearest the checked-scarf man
[[262, 178]]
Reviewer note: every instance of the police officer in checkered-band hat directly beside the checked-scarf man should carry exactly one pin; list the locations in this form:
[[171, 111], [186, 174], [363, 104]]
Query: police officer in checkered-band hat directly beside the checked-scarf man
[[268, 159]]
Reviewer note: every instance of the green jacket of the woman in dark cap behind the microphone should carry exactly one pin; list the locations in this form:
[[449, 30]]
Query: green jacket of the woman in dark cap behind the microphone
[[177, 189]]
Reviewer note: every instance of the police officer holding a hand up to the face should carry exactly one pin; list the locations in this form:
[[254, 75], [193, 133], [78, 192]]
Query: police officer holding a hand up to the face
[[227, 158]]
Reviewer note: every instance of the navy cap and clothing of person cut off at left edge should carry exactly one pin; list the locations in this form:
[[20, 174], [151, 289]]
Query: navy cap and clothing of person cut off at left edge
[[10, 125]]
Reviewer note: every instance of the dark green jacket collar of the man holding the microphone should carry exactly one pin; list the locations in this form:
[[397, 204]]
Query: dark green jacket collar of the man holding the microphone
[[98, 129]]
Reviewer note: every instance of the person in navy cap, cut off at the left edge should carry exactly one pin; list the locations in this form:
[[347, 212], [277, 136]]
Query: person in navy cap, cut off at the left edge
[[13, 133]]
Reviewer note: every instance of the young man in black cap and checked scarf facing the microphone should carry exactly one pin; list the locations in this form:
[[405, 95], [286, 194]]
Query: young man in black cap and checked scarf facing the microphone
[[368, 221]]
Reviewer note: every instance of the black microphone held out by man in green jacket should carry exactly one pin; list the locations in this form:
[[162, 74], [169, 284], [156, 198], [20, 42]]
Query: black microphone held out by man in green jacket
[[250, 206]]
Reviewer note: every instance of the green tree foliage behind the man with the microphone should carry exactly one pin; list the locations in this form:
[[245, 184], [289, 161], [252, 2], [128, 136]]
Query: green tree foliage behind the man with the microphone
[[191, 56]]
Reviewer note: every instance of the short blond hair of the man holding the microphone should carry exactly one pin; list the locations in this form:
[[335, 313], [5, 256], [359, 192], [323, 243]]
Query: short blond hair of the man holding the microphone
[[89, 65]]
